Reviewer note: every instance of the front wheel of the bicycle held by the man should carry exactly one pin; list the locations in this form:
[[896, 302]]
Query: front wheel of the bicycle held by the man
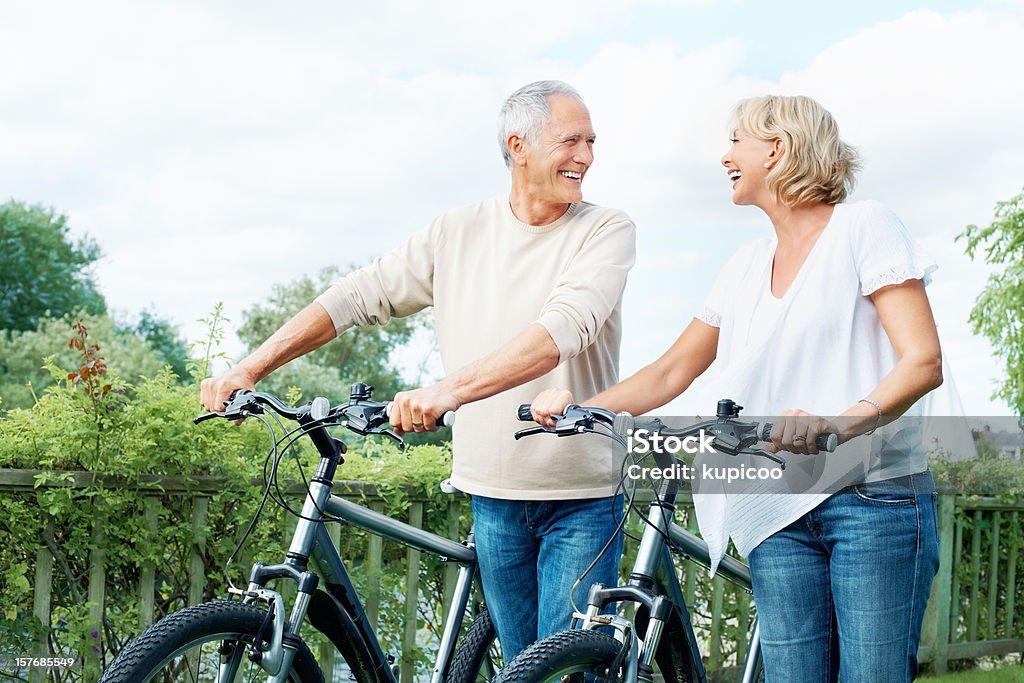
[[192, 646]]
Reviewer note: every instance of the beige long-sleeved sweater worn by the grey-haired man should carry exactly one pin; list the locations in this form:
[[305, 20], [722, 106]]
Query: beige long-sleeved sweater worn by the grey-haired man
[[489, 277]]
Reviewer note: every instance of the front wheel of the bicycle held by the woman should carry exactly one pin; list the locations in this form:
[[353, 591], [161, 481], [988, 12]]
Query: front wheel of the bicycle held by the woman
[[568, 654]]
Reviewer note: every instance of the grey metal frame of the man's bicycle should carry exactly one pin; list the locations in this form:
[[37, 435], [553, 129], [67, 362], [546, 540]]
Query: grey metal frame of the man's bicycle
[[338, 613]]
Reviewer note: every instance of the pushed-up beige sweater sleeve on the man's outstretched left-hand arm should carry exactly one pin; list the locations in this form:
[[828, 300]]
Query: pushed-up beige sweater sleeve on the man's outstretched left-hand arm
[[398, 284]]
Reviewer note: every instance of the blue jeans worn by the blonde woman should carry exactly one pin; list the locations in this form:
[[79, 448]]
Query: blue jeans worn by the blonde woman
[[842, 591]]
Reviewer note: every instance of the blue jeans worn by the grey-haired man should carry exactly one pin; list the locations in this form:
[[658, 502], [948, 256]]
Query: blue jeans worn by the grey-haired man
[[532, 552]]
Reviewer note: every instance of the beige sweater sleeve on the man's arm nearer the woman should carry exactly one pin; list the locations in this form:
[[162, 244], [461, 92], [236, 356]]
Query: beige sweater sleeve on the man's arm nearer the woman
[[590, 288]]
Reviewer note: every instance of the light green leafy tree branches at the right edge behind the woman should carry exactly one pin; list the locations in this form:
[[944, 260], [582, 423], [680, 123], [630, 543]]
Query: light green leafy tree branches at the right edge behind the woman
[[999, 312]]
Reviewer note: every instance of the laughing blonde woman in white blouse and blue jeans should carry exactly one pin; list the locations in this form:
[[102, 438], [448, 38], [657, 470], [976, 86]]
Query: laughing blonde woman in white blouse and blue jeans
[[829, 317]]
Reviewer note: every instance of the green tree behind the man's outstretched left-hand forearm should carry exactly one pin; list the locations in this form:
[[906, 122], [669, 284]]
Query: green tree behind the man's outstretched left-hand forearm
[[362, 355]]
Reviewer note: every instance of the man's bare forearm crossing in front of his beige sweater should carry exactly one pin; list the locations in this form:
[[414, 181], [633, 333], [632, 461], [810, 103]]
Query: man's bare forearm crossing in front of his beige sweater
[[531, 355]]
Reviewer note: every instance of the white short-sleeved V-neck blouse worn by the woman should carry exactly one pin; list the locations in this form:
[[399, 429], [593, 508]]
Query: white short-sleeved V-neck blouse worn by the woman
[[821, 349]]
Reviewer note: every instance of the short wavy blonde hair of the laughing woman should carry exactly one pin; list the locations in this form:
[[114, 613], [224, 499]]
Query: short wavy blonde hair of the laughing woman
[[817, 165]]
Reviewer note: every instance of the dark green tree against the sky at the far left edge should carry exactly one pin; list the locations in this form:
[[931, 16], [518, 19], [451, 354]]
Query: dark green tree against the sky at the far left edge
[[44, 273]]
